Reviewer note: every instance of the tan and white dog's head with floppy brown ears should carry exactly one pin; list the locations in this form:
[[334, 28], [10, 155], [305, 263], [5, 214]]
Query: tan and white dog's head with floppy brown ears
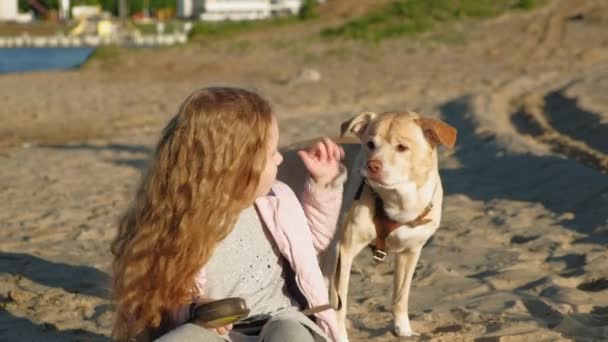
[[399, 147]]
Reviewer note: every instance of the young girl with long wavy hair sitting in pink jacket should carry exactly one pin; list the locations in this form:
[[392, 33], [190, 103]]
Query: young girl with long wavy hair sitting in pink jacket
[[210, 221]]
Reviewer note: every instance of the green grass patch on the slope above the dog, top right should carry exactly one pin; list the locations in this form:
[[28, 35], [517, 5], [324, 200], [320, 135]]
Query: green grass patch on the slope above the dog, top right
[[405, 17]]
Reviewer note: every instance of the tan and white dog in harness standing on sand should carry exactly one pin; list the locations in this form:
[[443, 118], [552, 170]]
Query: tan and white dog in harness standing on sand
[[398, 202]]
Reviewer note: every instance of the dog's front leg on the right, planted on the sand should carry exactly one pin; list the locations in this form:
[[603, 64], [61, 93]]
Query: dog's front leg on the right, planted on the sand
[[405, 265]]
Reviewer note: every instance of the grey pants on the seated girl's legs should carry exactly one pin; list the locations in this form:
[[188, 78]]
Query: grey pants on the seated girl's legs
[[276, 330]]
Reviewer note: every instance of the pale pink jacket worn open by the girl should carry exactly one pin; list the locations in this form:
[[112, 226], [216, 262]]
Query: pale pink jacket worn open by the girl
[[300, 231]]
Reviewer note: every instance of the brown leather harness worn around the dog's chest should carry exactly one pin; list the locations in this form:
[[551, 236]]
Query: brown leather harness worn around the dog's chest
[[385, 225]]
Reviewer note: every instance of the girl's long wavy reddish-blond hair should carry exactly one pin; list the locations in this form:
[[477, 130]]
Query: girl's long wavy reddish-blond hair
[[205, 171]]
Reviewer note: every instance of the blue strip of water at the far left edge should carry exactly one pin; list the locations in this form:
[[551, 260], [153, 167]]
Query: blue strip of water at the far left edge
[[39, 59]]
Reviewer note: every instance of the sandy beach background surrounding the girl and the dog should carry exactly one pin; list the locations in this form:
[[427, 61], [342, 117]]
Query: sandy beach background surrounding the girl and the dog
[[87, 85]]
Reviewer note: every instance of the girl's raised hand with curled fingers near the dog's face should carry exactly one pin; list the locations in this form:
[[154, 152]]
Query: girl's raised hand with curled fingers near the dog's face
[[323, 161]]
